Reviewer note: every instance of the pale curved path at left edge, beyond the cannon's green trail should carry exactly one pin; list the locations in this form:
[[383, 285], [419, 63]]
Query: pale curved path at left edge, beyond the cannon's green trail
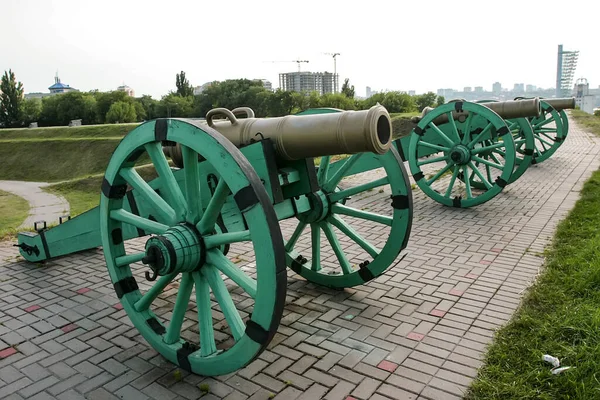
[[42, 205]]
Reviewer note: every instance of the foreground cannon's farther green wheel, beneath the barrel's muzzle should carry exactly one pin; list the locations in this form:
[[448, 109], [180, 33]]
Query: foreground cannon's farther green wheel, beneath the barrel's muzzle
[[336, 218]]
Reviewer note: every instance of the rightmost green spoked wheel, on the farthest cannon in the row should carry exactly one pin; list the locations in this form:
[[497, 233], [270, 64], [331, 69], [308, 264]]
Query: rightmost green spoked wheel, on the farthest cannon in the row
[[547, 138]]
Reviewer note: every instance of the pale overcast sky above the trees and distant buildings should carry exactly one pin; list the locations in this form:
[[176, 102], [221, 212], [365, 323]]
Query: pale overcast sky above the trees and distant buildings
[[394, 45]]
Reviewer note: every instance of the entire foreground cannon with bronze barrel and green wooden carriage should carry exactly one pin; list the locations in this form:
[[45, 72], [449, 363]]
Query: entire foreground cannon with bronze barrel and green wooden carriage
[[211, 220]]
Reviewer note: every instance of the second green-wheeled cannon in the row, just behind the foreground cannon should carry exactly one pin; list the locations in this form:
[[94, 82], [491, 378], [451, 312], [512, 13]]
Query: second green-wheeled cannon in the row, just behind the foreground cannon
[[468, 143]]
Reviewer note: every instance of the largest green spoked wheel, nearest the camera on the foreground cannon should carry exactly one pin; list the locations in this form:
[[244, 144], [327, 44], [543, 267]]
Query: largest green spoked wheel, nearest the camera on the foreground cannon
[[185, 216]]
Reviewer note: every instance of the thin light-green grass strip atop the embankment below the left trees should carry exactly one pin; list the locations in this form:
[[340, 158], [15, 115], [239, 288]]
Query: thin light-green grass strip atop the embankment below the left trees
[[87, 131]]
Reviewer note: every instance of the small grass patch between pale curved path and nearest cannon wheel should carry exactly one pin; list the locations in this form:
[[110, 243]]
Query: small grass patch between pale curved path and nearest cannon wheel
[[84, 193]]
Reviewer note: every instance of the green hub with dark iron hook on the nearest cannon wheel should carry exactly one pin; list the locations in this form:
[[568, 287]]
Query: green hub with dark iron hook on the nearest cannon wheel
[[180, 249]]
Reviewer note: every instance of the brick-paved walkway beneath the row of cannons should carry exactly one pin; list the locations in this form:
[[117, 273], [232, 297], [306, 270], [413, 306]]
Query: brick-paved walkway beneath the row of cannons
[[417, 332]]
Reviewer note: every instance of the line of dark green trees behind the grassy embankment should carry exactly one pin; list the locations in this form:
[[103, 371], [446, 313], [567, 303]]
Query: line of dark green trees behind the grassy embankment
[[96, 107]]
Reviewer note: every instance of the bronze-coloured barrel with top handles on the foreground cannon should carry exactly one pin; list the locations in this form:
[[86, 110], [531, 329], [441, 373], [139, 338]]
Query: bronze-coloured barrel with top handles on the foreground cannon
[[297, 137]]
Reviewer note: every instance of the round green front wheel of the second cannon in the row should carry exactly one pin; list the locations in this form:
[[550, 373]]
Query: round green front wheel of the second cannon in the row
[[462, 148]]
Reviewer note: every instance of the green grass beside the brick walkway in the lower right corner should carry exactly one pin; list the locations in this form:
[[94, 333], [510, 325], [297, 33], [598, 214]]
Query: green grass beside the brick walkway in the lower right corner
[[559, 316]]
